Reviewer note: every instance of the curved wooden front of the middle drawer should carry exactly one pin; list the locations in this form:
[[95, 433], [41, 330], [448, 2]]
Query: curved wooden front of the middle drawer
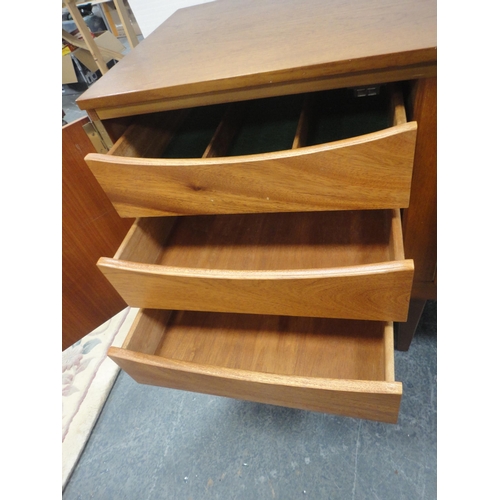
[[377, 292]]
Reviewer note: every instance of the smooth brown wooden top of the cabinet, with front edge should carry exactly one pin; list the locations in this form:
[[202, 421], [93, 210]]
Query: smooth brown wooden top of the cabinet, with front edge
[[229, 45]]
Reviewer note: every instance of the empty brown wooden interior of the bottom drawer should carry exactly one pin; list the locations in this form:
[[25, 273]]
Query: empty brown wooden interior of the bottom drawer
[[292, 346]]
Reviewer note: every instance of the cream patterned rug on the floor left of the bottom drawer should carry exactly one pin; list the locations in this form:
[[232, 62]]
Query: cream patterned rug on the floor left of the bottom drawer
[[87, 377]]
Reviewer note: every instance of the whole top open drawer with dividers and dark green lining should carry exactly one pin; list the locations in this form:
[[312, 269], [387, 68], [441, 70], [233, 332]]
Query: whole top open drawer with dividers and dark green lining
[[321, 151]]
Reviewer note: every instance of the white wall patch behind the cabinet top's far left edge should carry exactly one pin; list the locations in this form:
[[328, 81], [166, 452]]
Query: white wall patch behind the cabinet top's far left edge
[[149, 14]]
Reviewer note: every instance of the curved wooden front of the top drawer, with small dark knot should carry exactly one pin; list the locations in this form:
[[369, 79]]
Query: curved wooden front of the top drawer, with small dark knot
[[369, 172]]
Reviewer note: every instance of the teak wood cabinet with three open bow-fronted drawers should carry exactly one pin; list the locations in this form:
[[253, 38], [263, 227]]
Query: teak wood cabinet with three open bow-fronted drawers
[[272, 193]]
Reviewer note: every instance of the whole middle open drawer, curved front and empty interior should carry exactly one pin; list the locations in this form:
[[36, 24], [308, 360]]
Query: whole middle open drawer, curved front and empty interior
[[339, 264]]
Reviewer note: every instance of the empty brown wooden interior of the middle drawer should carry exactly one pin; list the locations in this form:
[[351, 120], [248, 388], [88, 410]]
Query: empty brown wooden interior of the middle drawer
[[304, 240]]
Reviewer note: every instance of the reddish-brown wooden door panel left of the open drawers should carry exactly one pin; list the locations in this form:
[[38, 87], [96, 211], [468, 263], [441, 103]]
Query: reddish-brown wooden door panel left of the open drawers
[[91, 228]]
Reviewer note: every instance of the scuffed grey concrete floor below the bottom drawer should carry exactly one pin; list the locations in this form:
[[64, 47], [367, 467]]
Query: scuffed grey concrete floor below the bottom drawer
[[156, 443]]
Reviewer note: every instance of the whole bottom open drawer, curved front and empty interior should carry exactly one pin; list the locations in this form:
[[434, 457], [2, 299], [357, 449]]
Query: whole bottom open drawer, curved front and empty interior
[[326, 365]]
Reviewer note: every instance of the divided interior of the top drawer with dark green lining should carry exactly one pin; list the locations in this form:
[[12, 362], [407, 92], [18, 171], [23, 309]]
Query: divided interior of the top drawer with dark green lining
[[261, 125]]
